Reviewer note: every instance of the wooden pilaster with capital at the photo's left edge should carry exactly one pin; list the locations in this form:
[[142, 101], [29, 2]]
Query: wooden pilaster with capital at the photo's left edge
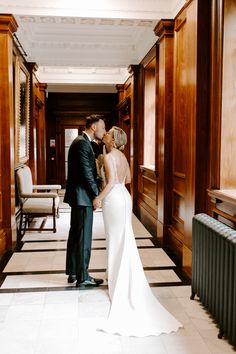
[[8, 26]]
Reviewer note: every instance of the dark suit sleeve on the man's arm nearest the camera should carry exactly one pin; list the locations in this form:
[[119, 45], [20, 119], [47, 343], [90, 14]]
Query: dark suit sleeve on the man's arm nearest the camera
[[87, 165]]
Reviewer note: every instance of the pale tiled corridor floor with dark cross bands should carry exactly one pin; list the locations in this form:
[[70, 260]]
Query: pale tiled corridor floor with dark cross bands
[[41, 313]]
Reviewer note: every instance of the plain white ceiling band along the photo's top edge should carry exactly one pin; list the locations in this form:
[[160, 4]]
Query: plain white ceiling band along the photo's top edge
[[146, 9]]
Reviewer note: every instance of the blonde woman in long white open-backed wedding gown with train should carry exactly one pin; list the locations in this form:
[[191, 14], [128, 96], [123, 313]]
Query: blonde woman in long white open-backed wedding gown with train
[[134, 309]]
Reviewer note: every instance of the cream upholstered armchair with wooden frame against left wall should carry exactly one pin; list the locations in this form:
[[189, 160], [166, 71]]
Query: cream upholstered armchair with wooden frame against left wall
[[34, 203]]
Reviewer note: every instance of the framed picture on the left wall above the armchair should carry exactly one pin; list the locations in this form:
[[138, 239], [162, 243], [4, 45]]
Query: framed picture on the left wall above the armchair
[[22, 93]]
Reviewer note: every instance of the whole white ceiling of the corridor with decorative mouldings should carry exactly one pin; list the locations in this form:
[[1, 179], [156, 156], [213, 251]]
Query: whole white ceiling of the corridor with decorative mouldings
[[87, 45]]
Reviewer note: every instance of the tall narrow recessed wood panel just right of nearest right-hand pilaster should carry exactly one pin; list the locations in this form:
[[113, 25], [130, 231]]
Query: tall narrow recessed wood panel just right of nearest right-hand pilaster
[[180, 132]]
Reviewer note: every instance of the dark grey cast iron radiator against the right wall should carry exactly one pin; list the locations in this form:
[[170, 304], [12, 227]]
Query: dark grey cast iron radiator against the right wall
[[214, 271]]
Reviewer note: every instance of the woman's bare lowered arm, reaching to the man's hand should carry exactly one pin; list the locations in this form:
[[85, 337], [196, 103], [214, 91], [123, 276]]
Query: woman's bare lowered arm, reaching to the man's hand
[[110, 177]]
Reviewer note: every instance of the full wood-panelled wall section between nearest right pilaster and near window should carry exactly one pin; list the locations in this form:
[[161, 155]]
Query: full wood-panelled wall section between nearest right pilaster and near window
[[190, 125]]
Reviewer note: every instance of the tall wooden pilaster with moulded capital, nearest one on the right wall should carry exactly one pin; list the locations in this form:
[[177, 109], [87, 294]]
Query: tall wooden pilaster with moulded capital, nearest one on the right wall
[[165, 31]]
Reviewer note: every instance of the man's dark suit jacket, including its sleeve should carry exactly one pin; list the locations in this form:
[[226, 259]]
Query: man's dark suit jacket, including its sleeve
[[81, 186]]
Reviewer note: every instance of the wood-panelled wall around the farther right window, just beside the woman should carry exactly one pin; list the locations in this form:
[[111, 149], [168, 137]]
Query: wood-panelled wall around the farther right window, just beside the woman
[[131, 119]]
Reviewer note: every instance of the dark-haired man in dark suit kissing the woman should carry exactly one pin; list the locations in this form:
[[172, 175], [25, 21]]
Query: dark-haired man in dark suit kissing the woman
[[81, 189]]
